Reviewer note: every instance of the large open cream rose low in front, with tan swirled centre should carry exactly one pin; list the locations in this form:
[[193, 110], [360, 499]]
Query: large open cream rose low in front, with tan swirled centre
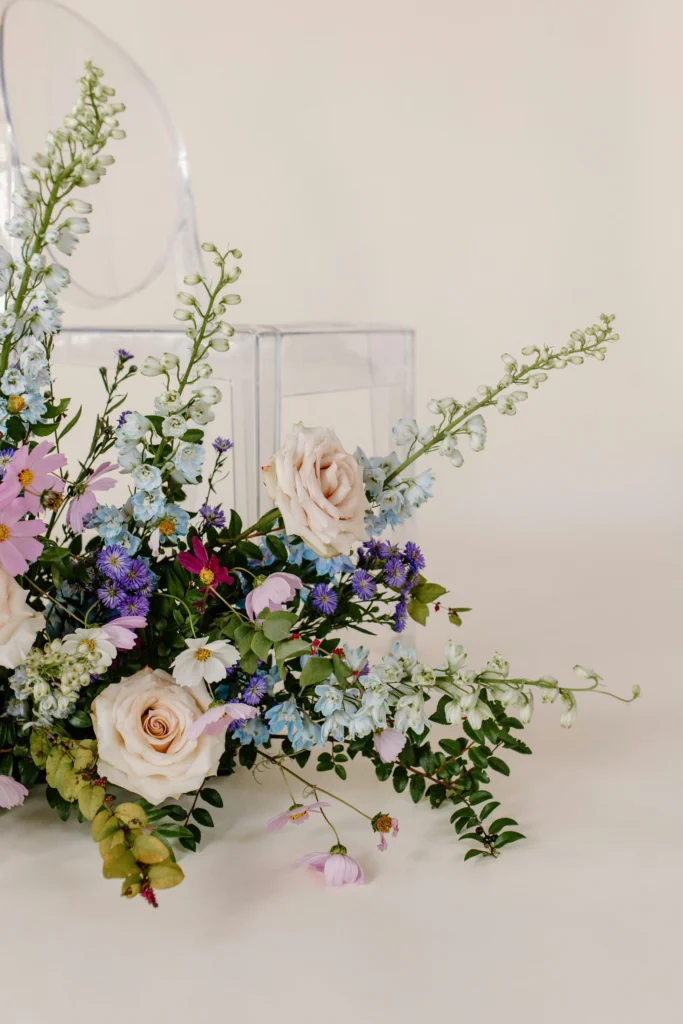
[[142, 728]]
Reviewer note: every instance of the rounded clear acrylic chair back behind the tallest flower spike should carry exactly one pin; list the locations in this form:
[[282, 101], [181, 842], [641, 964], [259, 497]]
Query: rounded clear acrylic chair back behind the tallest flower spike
[[134, 241]]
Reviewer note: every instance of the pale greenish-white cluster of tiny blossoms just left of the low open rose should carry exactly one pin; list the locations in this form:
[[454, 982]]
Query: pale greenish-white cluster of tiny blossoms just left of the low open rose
[[48, 686]]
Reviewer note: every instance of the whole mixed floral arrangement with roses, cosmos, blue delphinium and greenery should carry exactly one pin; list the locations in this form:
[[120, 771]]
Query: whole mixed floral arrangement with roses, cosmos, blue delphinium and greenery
[[147, 648]]
